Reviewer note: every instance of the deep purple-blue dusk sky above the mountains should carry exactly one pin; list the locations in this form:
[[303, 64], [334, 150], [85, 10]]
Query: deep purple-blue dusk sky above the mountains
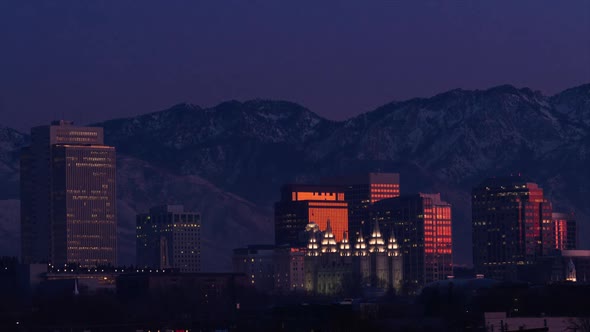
[[95, 60]]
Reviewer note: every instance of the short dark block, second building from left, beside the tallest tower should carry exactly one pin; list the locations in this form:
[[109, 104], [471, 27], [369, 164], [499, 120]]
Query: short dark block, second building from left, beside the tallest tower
[[169, 237]]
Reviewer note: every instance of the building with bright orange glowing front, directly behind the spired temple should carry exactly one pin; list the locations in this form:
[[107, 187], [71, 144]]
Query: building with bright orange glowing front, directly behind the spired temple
[[301, 205]]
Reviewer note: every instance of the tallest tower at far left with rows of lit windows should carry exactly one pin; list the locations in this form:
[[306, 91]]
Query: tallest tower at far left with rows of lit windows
[[68, 196]]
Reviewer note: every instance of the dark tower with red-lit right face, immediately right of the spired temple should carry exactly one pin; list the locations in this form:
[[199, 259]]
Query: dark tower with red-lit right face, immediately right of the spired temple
[[422, 225]]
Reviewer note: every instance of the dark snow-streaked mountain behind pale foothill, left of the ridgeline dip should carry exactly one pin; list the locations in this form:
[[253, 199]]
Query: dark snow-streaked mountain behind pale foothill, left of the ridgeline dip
[[247, 148]]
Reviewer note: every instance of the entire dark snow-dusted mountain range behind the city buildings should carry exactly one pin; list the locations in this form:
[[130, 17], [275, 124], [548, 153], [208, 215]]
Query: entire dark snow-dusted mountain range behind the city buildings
[[229, 161]]
